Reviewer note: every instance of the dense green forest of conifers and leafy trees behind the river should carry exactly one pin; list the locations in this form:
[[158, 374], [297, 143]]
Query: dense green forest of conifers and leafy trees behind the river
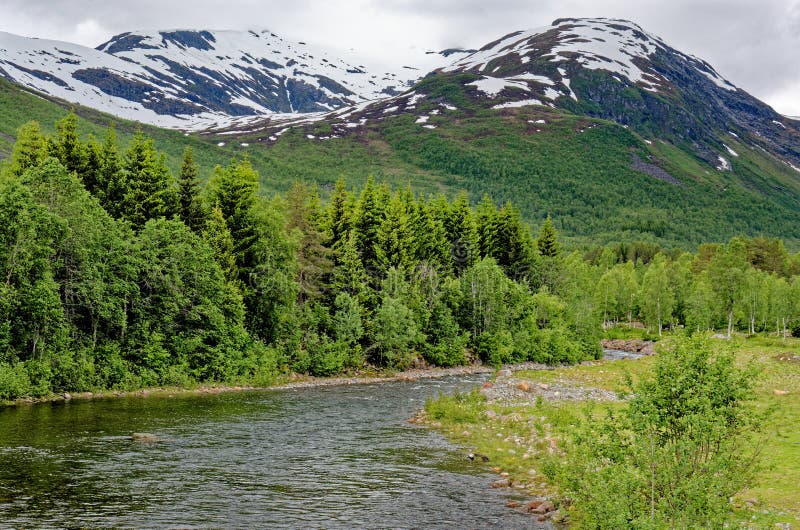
[[118, 274]]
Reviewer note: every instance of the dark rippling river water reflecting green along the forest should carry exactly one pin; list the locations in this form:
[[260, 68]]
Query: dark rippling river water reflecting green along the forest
[[329, 457]]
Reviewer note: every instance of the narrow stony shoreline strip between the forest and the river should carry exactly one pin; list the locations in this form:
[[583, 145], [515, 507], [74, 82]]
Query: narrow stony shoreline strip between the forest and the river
[[294, 381]]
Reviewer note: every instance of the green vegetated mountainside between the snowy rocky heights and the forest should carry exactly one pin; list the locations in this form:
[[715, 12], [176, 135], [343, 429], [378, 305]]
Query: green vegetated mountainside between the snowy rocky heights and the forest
[[574, 168]]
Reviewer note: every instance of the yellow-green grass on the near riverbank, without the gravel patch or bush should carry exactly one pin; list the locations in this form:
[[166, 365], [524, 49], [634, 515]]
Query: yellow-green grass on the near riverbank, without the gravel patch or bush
[[520, 439]]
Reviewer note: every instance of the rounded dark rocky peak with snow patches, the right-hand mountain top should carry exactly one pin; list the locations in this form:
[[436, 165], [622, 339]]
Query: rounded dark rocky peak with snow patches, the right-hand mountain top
[[613, 69]]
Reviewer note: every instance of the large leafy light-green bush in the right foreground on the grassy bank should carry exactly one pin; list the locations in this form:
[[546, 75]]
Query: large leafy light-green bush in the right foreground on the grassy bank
[[675, 456]]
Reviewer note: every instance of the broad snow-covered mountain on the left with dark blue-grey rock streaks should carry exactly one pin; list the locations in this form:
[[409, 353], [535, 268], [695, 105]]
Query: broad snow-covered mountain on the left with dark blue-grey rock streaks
[[195, 79]]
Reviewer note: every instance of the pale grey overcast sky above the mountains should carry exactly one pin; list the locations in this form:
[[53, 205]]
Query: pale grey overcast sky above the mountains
[[753, 43]]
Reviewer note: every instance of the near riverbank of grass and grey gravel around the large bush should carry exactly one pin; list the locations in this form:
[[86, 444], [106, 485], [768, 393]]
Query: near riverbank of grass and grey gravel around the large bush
[[519, 422]]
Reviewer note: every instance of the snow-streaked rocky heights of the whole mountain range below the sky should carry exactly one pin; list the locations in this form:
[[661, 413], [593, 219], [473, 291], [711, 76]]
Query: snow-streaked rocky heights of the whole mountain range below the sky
[[252, 80]]
